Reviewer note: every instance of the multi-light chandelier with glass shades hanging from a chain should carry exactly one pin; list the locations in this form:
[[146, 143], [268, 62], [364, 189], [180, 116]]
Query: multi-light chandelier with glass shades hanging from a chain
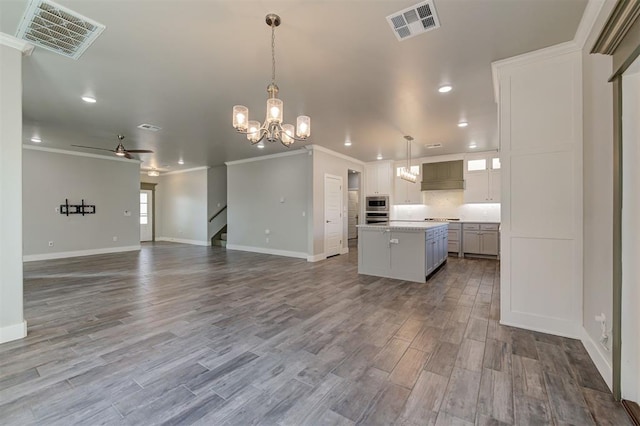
[[272, 129]]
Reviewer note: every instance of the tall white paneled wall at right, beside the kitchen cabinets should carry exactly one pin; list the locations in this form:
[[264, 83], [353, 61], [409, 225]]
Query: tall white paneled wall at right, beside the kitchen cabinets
[[540, 115]]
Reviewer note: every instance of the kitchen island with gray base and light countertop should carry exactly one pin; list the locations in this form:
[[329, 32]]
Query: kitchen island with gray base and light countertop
[[409, 251]]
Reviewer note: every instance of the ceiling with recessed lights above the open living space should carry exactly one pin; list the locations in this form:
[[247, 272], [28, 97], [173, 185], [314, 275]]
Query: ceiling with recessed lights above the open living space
[[182, 65]]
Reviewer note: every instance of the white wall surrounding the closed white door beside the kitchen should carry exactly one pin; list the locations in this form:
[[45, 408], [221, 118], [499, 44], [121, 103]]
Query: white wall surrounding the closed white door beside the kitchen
[[329, 162]]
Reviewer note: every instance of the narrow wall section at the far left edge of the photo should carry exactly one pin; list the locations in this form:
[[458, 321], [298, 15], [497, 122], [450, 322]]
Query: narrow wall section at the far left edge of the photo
[[12, 324]]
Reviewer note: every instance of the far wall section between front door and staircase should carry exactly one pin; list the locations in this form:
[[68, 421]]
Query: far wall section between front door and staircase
[[183, 205]]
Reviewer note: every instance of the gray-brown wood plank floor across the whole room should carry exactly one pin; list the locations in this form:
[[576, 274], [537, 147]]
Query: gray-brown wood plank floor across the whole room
[[179, 334]]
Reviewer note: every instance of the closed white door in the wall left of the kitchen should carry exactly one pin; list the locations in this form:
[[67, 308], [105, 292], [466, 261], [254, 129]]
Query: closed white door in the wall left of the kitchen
[[332, 215]]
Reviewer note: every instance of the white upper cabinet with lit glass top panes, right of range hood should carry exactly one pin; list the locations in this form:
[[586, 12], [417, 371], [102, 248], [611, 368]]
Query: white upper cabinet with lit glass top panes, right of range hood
[[482, 178]]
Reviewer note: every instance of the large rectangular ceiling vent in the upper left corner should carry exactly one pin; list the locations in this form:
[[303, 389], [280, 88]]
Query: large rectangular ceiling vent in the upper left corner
[[56, 28]]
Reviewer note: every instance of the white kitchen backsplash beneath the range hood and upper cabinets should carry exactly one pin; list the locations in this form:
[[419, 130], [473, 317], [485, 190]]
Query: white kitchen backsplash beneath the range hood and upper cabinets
[[447, 204]]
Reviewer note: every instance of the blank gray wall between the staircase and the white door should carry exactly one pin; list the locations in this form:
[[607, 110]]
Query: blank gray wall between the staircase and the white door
[[270, 193]]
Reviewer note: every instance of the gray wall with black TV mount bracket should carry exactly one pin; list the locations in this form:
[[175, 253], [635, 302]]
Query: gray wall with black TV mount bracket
[[112, 185]]
